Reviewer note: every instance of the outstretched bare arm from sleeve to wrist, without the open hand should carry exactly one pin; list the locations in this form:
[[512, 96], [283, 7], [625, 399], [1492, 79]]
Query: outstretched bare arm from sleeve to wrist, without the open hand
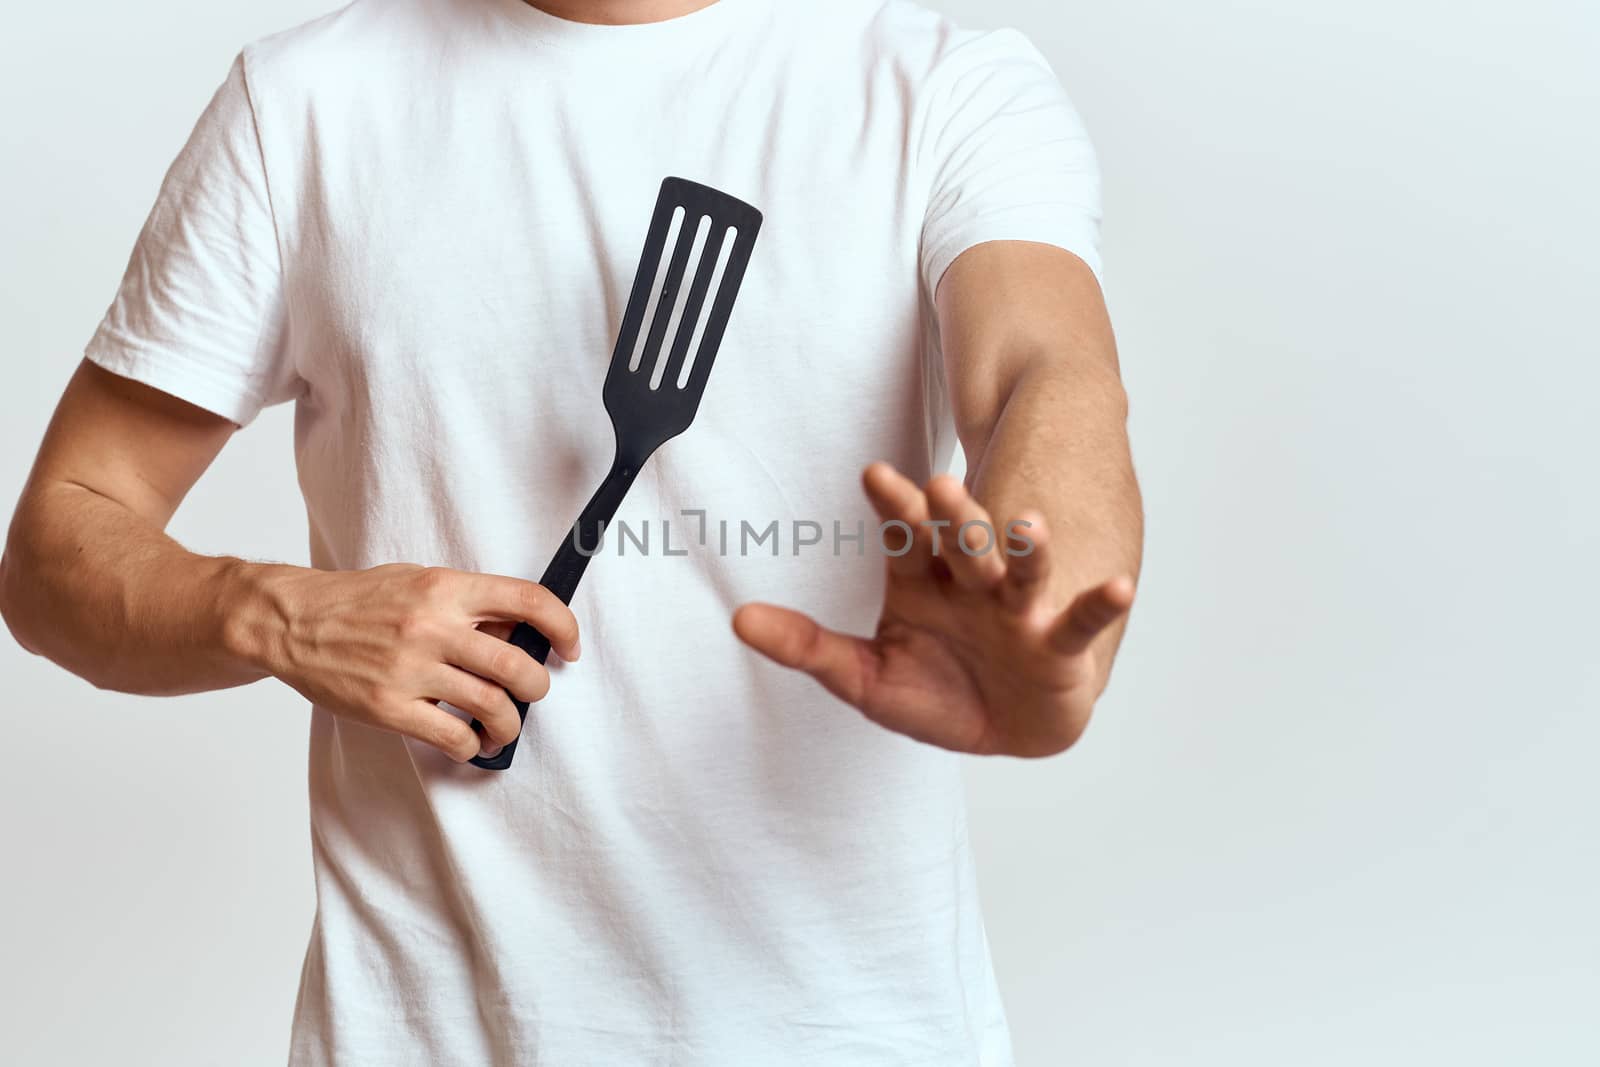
[[1042, 414]]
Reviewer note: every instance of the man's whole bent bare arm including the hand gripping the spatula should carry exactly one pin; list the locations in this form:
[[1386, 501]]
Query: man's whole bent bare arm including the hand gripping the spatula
[[90, 581]]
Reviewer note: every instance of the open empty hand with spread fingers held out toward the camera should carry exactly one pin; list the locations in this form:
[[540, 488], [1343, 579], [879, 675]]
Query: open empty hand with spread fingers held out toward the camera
[[970, 652]]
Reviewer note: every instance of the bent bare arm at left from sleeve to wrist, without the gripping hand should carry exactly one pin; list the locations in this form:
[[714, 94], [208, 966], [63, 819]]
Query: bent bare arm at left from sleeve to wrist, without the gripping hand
[[89, 578]]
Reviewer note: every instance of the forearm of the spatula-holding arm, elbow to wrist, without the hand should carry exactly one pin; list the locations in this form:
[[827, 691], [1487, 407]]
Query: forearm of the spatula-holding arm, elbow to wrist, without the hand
[[100, 591]]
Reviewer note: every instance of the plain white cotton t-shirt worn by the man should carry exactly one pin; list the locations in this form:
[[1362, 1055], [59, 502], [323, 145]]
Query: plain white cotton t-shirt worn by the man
[[420, 220]]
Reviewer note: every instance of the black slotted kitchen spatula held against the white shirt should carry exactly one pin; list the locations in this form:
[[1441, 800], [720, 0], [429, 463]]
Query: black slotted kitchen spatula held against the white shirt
[[663, 358]]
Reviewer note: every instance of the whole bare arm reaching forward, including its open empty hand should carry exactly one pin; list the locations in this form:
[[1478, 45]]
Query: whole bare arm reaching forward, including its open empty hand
[[988, 652]]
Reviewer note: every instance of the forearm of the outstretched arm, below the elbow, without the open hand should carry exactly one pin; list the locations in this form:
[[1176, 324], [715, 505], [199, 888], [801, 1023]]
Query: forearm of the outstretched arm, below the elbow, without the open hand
[[1060, 446]]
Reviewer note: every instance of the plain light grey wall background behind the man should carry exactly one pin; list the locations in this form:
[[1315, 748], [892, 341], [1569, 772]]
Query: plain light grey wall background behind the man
[[1340, 804]]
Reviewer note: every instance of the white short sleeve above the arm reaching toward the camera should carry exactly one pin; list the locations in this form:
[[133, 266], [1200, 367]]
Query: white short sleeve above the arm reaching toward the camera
[[1007, 156]]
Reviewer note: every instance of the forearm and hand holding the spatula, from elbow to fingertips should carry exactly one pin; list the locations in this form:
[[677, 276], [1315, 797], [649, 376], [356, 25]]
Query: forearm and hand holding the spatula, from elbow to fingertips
[[102, 591]]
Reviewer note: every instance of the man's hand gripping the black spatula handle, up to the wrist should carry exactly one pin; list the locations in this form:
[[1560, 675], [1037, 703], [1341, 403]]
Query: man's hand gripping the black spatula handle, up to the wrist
[[385, 647]]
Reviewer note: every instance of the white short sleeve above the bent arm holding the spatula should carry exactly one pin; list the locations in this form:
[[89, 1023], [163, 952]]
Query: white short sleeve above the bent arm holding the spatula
[[201, 308]]
